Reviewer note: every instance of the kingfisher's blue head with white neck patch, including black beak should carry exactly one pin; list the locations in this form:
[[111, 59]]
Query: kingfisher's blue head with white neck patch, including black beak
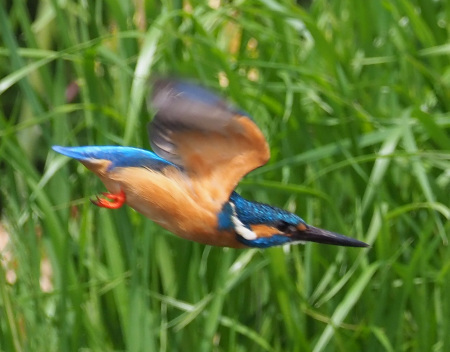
[[261, 225]]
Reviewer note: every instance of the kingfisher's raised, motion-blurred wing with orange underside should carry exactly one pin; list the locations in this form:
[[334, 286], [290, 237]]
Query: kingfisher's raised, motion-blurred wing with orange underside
[[213, 142]]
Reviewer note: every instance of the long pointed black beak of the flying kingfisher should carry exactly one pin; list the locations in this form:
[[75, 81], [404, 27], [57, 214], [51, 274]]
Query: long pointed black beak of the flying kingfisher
[[314, 234]]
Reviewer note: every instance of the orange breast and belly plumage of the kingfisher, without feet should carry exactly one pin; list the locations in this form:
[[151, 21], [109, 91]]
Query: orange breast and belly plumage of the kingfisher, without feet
[[173, 201]]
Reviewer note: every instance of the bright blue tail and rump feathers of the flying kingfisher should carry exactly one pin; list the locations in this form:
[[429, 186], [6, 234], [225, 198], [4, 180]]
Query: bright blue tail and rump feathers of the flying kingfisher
[[119, 156]]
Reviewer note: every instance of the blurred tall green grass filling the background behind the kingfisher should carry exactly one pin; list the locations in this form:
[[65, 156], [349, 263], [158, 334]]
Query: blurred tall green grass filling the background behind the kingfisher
[[354, 99]]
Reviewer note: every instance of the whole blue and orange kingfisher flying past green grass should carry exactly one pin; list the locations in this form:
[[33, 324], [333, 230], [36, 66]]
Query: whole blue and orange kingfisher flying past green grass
[[202, 147]]
